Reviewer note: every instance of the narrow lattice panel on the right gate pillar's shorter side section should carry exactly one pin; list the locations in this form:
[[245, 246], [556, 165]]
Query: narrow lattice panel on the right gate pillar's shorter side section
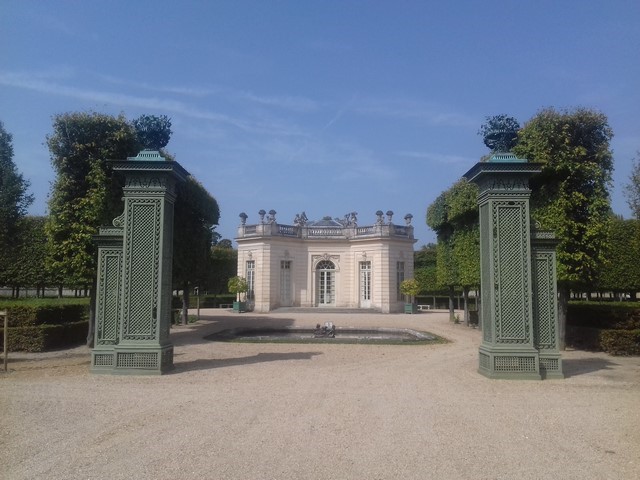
[[544, 302]]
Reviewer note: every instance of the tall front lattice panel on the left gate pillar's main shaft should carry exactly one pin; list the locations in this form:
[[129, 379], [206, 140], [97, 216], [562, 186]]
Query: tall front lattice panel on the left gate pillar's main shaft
[[142, 252]]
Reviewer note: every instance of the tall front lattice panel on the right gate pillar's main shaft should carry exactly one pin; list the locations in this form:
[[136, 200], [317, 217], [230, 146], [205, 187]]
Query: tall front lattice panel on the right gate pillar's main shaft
[[511, 266]]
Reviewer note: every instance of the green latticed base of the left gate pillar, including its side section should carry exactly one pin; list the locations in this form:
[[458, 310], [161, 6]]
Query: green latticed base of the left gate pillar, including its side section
[[132, 359]]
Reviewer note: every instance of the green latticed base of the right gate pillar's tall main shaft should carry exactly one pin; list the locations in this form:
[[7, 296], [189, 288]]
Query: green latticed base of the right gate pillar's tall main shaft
[[509, 362]]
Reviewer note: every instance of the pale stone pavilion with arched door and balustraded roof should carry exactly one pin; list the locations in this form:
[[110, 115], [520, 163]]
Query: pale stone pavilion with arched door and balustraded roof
[[330, 263]]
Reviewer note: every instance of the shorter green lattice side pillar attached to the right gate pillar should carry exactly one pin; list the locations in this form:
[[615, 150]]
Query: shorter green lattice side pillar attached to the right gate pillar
[[545, 305]]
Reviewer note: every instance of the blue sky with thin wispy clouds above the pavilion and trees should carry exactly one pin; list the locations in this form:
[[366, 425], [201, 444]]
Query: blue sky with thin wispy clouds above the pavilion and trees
[[326, 107]]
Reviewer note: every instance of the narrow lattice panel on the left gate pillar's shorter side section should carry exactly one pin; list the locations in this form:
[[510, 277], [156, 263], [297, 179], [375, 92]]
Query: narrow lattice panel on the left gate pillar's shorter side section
[[108, 308]]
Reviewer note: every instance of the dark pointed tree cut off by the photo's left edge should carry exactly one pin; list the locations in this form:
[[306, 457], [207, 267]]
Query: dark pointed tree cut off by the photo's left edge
[[14, 201]]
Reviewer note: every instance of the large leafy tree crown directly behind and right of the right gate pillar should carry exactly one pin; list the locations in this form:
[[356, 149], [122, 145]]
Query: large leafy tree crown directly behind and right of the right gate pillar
[[570, 196]]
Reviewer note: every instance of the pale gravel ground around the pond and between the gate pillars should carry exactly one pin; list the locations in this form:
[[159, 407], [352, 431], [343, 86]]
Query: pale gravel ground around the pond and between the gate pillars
[[282, 411]]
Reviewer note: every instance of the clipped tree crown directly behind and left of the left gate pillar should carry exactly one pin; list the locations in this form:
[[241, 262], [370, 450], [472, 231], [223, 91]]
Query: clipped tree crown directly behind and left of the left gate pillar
[[86, 193]]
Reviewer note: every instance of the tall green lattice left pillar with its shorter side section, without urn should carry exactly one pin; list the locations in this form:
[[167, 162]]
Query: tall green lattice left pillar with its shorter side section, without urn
[[144, 304]]
